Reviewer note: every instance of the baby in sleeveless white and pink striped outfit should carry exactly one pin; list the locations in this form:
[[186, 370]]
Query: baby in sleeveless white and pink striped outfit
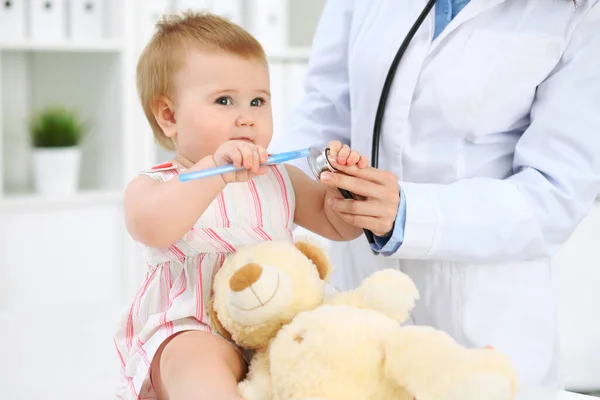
[[204, 87]]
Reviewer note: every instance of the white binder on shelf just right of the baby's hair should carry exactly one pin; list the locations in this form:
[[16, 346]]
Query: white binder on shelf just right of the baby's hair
[[268, 22]]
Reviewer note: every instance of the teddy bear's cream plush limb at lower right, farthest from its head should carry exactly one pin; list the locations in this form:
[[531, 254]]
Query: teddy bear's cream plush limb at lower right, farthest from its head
[[431, 365]]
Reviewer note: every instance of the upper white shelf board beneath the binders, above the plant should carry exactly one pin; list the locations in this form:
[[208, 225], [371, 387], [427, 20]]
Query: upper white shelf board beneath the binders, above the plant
[[101, 46]]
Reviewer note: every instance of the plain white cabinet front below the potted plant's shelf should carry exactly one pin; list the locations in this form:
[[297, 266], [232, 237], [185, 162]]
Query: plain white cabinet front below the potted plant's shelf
[[60, 290]]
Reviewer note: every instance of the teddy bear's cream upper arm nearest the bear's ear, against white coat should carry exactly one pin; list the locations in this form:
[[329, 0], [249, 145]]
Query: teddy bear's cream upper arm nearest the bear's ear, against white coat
[[388, 291]]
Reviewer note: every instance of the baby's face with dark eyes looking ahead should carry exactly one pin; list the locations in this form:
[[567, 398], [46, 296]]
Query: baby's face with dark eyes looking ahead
[[219, 97]]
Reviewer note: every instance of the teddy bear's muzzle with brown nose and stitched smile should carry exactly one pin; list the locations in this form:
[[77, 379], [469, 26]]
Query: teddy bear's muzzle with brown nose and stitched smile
[[258, 293]]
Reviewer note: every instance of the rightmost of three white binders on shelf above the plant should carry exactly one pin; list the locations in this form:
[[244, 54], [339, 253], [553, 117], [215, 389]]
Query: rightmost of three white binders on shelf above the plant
[[87, 19]]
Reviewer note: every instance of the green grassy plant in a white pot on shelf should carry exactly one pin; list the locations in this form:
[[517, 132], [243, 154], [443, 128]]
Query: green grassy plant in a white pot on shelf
[[56, 134]]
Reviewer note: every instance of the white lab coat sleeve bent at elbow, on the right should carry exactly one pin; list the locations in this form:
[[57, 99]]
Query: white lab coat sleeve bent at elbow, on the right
[[556, 175]]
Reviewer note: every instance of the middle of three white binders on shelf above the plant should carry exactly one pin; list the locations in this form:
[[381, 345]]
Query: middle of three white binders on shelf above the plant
[[48, 20]]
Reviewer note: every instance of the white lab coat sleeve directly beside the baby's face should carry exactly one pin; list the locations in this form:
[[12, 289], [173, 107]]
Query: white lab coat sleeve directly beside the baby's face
[[324, 112]]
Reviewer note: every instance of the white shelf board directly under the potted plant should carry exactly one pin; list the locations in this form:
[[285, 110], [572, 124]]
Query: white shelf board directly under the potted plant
[[15, 203]]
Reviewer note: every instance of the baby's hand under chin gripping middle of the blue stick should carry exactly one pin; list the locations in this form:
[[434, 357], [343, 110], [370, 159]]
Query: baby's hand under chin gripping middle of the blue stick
[[241, 154]]
